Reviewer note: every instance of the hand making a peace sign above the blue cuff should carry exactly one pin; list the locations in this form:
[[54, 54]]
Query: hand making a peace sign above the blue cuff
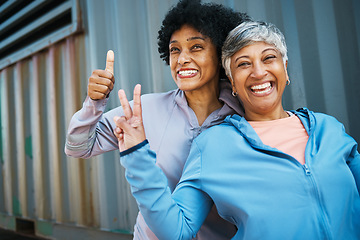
[[129, 128]]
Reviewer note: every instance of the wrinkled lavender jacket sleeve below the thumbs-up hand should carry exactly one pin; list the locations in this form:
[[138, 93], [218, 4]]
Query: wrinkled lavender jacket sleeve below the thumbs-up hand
[[90, 131]]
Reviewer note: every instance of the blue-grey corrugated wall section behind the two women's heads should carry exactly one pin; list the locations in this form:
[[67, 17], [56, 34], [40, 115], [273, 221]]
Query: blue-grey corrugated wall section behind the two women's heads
[[323, 38]]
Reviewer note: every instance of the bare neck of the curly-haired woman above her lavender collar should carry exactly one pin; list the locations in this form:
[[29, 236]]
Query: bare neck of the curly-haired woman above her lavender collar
[[203, 103]]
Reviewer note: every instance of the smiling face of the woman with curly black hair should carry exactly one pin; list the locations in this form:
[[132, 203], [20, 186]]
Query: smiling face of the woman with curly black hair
[[194, 62]]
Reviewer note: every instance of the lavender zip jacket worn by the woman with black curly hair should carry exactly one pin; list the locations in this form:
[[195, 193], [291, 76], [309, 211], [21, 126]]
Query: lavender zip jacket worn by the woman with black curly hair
[[170, 127]]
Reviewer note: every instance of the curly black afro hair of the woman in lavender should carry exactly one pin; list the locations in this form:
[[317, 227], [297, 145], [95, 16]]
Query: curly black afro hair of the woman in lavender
[[212, 20]]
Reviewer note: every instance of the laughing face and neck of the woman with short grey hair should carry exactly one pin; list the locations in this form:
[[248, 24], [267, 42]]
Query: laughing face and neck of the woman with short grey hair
[[259, 78]]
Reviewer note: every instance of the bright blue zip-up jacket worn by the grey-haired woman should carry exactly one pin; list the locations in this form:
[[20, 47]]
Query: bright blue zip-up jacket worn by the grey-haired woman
[[266, 193]]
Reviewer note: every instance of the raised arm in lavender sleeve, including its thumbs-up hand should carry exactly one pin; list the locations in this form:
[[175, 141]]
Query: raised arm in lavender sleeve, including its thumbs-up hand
[[90, 132]]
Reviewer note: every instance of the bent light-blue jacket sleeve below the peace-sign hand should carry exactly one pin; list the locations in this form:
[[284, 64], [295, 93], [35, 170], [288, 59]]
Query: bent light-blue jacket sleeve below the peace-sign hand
[[170, 216]]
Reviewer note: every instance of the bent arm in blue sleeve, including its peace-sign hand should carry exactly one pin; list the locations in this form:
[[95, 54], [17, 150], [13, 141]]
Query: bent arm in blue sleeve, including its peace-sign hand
[[177, 216]]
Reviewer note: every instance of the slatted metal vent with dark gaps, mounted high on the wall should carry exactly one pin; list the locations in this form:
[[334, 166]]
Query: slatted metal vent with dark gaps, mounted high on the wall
[[25, 32]]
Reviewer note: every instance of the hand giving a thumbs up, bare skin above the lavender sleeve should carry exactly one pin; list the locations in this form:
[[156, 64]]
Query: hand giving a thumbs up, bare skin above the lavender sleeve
[[101, 82]]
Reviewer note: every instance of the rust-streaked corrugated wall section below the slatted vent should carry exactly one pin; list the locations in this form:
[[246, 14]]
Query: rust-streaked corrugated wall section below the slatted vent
[[39, 182]]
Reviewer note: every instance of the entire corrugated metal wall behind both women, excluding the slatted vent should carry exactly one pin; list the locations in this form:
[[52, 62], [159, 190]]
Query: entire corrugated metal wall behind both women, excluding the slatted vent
[[39, 95]]
